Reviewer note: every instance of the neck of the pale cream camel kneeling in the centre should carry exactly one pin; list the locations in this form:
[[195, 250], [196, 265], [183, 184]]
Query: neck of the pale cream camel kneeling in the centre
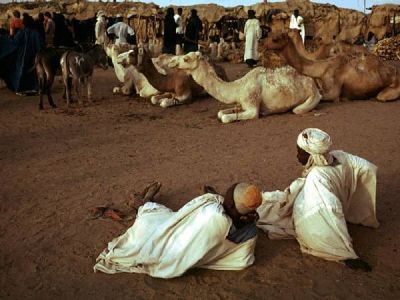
[[206, 76]]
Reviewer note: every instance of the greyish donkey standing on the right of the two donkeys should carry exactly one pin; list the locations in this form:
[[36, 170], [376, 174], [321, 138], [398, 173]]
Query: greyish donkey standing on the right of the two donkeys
[[79, 67]]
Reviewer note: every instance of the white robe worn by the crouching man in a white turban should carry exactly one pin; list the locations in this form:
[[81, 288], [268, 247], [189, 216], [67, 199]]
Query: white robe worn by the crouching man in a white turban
[[315, 209]]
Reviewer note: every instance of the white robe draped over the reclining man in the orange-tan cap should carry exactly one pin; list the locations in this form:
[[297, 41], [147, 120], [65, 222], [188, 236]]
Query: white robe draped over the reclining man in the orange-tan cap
[[165, 244]]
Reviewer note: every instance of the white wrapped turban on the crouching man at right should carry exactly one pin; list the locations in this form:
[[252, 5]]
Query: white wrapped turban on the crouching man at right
[[317, 143]]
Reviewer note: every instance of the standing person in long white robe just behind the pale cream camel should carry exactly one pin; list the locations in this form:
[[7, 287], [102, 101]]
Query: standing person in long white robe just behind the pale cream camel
[[252, 32]]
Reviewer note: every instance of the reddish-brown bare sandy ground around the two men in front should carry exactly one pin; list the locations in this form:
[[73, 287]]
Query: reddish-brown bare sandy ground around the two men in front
[[57, 164]]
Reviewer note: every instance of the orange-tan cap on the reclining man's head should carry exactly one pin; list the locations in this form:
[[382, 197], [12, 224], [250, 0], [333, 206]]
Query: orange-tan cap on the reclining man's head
[[247, 198]]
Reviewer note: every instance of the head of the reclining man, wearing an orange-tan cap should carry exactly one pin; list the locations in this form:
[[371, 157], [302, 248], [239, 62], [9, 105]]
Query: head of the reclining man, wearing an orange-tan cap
[[241, 202]]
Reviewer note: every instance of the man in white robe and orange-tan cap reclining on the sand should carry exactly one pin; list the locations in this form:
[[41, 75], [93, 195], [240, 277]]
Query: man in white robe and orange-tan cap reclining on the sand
[[210, 231]]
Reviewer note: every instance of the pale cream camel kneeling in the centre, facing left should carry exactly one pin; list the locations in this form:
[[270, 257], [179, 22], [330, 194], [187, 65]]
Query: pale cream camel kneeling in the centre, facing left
[[259, 91]]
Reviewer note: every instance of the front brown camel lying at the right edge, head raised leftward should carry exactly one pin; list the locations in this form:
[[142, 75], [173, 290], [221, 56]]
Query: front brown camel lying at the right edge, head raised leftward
[[342, 76]]
